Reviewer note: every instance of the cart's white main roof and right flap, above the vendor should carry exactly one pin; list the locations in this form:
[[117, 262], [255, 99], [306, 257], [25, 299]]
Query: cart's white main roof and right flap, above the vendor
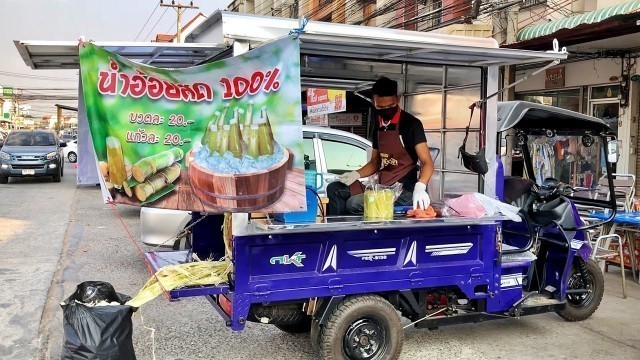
[[368, 43]]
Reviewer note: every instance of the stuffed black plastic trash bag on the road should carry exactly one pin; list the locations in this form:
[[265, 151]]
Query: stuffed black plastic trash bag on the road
[[97, 332]]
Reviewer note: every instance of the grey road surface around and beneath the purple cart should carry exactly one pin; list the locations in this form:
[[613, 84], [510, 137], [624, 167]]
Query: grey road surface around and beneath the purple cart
[[54, 236]]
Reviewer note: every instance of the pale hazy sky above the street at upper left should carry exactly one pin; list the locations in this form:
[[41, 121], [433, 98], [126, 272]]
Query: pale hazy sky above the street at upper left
[[67, 20]]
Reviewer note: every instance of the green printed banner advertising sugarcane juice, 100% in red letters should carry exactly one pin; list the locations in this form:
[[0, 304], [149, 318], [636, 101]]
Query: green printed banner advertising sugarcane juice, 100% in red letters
[[224, 136]]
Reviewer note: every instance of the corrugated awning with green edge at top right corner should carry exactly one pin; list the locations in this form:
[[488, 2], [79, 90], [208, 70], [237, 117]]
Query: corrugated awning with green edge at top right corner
[[592, 17]]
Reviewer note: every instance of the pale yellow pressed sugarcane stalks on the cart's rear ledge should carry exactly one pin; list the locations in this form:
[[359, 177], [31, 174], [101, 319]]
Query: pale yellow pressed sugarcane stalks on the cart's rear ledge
[[172, 277]]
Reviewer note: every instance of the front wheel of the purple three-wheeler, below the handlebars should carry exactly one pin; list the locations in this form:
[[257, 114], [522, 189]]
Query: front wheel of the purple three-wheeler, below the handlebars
[[581, 306]]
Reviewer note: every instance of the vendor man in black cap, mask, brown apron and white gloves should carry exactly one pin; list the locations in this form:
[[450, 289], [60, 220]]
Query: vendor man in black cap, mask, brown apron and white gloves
[[398, 143]]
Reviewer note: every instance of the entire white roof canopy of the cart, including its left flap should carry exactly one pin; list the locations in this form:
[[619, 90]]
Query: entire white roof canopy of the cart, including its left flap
[[212, 38]]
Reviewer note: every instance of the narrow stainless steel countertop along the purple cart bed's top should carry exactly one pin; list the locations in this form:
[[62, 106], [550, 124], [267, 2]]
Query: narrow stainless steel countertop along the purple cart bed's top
[[264, 226]]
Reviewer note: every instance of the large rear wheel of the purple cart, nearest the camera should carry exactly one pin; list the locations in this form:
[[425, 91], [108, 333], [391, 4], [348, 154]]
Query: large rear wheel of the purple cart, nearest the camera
[[362, 328]]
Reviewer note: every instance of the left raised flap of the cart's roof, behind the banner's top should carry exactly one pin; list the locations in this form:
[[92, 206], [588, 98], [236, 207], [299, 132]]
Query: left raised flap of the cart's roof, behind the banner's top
[[51, 55]]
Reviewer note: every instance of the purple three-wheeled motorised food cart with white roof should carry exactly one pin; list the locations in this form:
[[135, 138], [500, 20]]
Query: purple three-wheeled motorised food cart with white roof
[[344, 279]]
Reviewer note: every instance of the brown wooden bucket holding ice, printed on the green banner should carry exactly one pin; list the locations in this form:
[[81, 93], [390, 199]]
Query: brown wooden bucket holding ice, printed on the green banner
[[244, 192]]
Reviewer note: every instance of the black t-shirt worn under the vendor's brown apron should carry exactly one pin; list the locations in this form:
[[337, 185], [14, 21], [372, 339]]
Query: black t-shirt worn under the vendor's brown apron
[[412, 133]]
